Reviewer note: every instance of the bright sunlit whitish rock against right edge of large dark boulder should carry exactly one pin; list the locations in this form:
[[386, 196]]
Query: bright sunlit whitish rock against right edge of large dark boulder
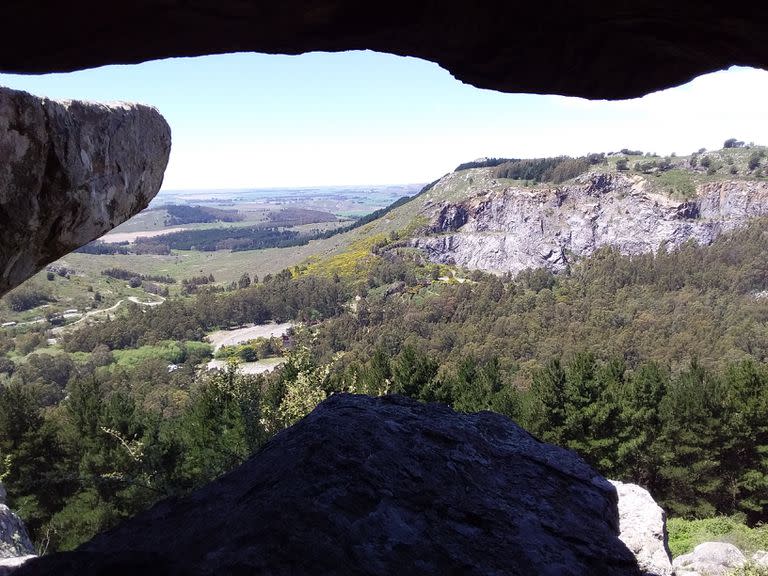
[[643, 526]]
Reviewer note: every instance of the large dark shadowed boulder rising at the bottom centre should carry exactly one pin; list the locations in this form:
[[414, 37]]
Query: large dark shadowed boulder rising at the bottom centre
[[378, 486]]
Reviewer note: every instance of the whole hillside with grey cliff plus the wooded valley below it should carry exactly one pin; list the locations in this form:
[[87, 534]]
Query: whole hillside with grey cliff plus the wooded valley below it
[[651, 363]]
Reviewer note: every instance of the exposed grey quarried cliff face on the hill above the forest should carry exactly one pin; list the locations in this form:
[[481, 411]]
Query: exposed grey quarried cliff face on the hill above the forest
[[510, 229]]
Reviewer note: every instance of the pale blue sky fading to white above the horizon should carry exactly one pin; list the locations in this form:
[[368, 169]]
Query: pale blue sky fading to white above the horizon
[[255, 120]]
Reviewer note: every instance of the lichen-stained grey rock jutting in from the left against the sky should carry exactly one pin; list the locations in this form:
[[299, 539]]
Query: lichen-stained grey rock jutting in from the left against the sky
[[69, 172]]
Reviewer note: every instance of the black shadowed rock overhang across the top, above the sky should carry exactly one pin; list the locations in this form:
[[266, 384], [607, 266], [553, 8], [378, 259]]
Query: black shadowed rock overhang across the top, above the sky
[[594, 49]]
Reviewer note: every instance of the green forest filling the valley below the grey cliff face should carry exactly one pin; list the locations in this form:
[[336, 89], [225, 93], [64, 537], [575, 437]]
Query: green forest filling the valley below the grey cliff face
[[653, 367]]
